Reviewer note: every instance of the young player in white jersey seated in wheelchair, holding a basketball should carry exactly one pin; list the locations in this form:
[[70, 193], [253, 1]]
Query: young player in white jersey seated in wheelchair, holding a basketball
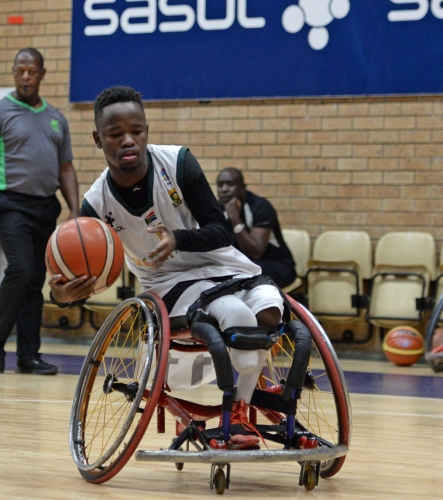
[[178, 244]]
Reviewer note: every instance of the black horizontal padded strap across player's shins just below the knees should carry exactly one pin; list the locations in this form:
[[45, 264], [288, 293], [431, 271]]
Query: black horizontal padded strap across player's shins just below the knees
[[249, 338]]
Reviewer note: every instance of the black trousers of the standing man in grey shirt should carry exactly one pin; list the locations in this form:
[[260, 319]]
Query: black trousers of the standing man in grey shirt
[[26, 223]]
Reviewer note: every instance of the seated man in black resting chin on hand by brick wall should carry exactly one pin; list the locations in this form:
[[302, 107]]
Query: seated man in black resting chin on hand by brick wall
[[256, 227]]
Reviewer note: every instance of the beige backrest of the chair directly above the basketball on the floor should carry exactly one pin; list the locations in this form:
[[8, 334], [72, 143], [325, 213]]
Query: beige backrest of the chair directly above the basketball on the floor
[[404, 248]]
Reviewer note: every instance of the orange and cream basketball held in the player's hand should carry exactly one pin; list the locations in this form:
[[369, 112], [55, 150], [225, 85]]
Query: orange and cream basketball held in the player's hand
[[85, 246]]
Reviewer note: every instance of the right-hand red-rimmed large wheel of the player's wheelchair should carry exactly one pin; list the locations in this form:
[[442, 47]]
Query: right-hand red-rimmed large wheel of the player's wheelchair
[[324, 407]]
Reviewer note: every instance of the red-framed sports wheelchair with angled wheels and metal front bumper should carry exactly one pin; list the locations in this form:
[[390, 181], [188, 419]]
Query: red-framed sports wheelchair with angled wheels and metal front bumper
[[123, 384]]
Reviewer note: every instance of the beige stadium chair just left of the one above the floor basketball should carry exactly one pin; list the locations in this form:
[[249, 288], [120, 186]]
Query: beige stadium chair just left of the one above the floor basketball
[[341, 261]]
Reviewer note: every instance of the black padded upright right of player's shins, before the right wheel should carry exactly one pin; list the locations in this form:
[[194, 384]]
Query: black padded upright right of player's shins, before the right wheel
[[302, 353]]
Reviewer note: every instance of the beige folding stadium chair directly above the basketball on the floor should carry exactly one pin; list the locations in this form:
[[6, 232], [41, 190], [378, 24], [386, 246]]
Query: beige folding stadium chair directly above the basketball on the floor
[[404, 266]]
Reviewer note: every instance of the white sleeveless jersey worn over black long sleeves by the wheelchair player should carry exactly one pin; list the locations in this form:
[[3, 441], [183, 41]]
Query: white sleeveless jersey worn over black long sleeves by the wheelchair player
[[168, 208]]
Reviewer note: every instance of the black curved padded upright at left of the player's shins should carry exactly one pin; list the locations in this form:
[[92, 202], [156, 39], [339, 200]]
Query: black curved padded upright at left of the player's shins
[[210, 335]]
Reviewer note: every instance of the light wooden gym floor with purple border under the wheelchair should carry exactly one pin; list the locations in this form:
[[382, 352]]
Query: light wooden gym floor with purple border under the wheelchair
[[396, 450]]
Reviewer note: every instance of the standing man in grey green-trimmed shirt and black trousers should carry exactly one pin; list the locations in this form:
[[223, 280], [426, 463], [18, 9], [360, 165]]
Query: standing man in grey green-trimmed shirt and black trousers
[[35, 161]]
